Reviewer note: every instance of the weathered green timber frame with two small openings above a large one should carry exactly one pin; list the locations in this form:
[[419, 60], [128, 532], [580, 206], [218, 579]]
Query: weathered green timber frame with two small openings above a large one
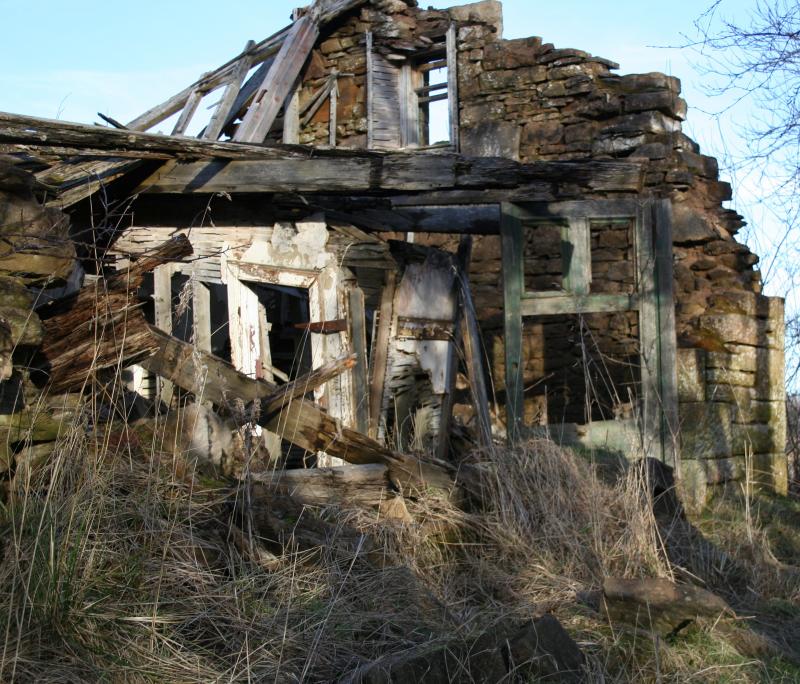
[[652, 300]]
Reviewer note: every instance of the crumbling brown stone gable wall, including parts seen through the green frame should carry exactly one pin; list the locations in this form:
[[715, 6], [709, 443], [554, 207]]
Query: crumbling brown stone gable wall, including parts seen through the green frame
[[526, 99]]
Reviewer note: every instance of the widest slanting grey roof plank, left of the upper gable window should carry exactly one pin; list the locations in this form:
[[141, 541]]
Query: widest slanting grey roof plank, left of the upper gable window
[[278, 82]]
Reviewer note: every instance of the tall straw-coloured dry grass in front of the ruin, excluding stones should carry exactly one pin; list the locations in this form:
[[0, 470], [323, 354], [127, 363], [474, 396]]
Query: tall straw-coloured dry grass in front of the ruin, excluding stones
[[114, 568]]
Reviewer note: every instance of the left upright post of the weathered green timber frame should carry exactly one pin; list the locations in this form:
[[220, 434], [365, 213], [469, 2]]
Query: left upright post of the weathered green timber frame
[[513, 282]]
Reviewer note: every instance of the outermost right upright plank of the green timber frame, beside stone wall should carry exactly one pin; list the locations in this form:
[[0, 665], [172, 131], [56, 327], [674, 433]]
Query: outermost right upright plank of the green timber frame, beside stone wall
[[667, 338]]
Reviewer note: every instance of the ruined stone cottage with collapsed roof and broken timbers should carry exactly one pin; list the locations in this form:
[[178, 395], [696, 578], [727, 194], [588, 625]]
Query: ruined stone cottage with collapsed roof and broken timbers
[[504, 237]]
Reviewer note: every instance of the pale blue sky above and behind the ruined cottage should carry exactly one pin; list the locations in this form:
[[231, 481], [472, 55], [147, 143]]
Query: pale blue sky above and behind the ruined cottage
[[69, 60]]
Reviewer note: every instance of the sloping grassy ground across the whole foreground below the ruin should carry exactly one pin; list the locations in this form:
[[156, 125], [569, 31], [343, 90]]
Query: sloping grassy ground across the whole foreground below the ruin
[[115, 568]]
